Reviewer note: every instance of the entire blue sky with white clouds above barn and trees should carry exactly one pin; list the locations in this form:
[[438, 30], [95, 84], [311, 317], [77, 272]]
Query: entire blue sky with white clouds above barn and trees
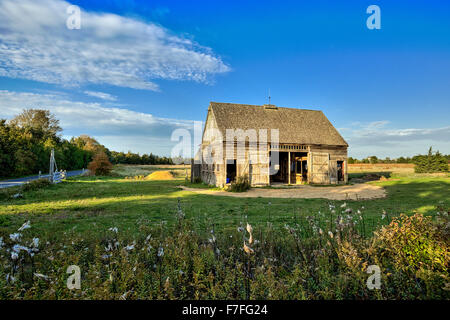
[[137, 70]]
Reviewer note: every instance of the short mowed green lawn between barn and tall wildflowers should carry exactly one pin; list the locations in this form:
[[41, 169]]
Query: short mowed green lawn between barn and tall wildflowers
[[95, 204]]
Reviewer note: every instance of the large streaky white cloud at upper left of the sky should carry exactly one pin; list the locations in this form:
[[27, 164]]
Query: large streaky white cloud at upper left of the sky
[[109, 49]]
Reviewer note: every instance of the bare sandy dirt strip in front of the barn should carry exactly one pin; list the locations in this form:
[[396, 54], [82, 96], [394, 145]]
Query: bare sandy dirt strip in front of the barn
[[353, 192]]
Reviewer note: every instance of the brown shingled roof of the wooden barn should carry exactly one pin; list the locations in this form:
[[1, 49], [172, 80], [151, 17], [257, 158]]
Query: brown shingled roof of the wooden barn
[[299, 126]]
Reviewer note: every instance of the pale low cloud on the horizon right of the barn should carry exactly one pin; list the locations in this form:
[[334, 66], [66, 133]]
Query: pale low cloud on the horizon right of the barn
[[375, 138]]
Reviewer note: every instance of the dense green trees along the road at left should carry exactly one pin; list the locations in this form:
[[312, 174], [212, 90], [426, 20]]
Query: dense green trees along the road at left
[[27, 140]]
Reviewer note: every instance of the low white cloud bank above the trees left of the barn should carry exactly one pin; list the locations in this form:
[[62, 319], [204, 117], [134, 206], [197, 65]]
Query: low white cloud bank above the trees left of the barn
[[118, 128]]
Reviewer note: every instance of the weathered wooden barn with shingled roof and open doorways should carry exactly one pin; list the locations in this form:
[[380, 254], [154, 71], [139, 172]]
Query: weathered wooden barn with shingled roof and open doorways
[[301, 146]]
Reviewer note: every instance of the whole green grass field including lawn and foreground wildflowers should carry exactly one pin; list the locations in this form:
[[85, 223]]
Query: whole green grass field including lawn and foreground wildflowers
[[175, 244]]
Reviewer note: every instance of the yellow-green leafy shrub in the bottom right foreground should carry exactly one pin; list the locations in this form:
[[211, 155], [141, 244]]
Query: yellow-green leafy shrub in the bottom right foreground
[[415, 254]]
